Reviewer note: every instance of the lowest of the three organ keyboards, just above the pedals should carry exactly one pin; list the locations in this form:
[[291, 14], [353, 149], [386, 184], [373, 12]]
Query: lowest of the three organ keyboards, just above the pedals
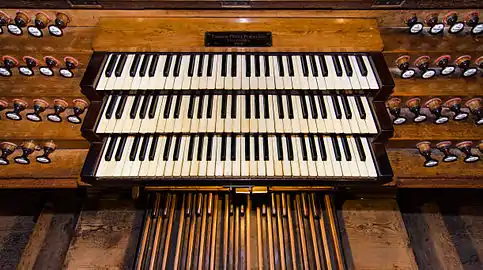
[[229, 155]]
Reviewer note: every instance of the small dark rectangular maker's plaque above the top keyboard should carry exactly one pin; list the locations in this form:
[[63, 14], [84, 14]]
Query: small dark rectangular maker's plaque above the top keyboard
[[238, 39]]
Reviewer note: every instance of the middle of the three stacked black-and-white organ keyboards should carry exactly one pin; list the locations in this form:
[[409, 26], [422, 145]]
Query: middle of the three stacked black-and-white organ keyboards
[[151, 113]]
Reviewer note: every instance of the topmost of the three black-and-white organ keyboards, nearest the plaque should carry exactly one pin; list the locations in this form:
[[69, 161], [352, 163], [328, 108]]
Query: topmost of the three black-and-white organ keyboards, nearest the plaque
[[130, 71]]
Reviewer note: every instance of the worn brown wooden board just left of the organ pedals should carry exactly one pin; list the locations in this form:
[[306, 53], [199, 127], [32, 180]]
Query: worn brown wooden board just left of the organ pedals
[[106, 236]]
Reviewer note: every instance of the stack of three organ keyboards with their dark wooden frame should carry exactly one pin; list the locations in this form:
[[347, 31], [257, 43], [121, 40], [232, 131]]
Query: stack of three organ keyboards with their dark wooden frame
[[217, 118]]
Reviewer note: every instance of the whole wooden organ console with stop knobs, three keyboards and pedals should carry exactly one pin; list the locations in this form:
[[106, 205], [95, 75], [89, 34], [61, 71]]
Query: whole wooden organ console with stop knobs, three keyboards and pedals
[[240, 123]]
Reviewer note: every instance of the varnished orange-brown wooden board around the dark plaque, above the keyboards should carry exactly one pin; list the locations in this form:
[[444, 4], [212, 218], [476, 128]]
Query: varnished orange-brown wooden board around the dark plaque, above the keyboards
[[163, 34]]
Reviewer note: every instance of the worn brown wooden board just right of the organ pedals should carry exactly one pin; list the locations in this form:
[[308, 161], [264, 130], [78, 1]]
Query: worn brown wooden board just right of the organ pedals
[[375, 236]]
